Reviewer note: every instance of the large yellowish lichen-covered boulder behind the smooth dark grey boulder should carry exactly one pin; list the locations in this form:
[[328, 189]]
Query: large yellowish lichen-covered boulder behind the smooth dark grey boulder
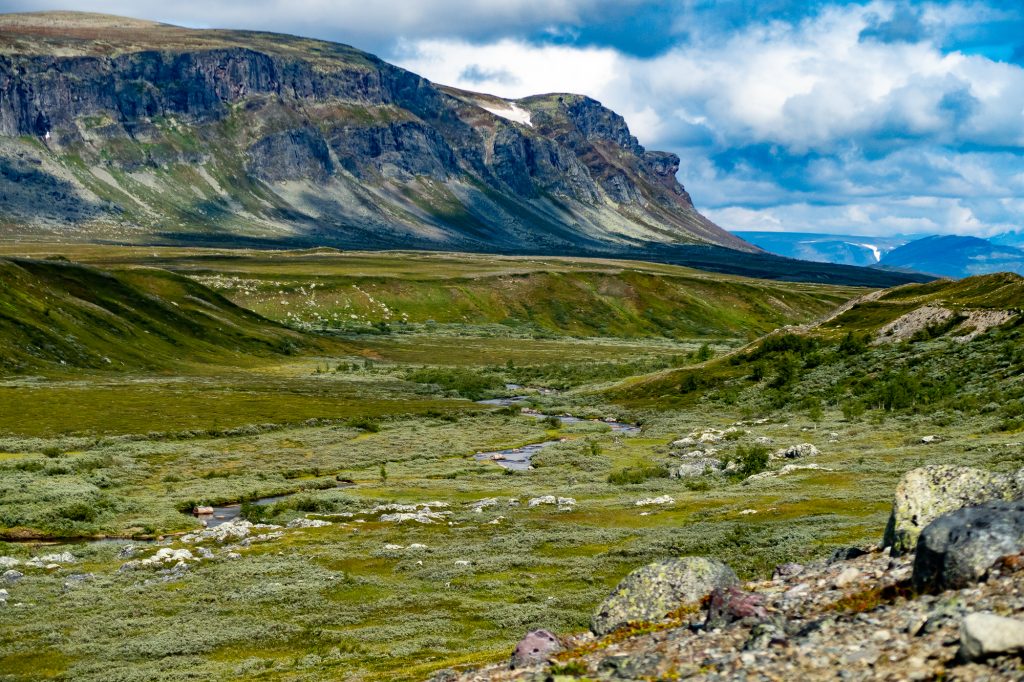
[[924, 495]]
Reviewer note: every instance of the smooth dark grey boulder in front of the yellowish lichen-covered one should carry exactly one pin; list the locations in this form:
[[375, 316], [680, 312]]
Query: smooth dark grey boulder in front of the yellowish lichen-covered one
[[958, 549]]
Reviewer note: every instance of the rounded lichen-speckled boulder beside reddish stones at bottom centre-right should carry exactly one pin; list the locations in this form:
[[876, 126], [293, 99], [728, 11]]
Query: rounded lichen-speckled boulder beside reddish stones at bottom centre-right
[[655, 591]]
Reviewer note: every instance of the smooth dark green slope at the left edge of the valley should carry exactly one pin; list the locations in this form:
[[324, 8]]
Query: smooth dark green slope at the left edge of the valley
[[56, 314]]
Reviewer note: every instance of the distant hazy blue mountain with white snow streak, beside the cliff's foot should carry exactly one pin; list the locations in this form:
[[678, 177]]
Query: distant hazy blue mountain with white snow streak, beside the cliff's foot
[[845, 249]]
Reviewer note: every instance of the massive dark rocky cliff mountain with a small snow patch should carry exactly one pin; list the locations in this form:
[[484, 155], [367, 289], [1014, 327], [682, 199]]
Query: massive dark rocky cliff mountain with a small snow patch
[[134, 130]]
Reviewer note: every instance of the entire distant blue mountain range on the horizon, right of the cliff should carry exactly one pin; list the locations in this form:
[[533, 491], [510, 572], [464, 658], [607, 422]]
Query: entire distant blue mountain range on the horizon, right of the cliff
[[950, 255]]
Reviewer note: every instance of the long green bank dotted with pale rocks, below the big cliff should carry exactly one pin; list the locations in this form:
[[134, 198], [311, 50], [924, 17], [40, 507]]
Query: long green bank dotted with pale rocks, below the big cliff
[[522, 296]]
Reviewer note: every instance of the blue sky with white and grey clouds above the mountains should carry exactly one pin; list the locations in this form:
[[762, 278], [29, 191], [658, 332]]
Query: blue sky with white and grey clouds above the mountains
[[875, 118]]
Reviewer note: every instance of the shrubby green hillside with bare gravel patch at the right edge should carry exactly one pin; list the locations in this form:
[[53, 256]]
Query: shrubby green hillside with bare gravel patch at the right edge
[[946, 346]]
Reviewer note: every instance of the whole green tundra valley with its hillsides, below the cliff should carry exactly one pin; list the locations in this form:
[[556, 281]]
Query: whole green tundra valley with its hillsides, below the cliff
[[402, 550]]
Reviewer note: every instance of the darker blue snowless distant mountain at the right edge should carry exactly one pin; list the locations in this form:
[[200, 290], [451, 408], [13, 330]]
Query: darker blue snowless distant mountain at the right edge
[[956, 257]]
